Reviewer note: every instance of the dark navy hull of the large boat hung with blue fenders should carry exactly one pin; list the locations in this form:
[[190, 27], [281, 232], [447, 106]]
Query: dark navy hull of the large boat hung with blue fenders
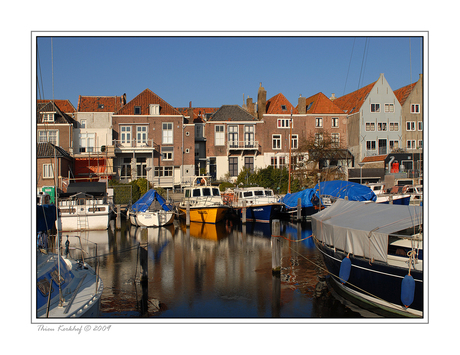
[[378, 279]]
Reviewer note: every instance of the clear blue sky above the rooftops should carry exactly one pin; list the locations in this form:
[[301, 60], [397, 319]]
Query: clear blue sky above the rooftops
[[213, 71]]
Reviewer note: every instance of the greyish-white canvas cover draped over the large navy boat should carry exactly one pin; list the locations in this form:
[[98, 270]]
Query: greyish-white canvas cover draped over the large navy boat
[[362, 228]]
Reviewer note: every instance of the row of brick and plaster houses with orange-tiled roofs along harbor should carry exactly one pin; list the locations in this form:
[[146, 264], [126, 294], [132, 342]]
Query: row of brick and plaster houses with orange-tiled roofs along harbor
[[108, 137]]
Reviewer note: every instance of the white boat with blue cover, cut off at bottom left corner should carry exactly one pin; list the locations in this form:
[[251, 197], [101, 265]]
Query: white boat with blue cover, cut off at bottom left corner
[[65, 288]]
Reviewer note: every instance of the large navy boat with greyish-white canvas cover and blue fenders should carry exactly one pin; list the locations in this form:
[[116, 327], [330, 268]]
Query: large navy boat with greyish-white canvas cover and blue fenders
[[374, 254]]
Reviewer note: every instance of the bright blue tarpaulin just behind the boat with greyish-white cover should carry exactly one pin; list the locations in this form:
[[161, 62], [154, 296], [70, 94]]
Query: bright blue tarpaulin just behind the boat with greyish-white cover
[[342, 189]]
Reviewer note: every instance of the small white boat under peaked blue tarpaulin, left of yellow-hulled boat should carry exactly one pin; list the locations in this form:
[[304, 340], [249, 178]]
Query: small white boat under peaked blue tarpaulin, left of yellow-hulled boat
[[151, 210]]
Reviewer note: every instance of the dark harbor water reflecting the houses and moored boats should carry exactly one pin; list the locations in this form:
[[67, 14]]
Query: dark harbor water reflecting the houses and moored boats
[[209, 271]]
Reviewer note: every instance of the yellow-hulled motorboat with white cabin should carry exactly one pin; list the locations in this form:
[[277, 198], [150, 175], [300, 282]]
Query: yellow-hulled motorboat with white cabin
[[204, 202]]
